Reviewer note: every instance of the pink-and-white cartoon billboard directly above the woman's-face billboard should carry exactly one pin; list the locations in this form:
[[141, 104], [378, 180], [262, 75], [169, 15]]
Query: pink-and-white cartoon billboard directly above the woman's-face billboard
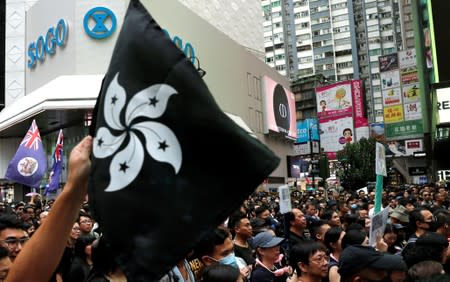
[[334, 100]]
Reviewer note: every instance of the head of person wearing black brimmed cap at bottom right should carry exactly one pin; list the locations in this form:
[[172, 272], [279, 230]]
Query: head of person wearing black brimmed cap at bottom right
[[364, 263]]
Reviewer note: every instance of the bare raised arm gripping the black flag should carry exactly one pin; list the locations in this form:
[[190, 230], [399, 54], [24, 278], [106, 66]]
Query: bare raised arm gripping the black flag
[[41, 255]]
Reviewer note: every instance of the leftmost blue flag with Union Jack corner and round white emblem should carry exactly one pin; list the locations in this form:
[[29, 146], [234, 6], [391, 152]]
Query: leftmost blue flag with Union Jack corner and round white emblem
[[29, 164]]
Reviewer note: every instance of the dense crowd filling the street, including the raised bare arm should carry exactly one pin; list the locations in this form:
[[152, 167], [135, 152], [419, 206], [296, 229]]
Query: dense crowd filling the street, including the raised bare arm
[[323, 238]]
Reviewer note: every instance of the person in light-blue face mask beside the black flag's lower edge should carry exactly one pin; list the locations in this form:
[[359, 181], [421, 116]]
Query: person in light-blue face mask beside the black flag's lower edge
[[217, 247]]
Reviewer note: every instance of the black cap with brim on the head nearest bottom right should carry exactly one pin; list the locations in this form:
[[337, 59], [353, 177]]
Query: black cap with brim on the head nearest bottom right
[[355, 258]]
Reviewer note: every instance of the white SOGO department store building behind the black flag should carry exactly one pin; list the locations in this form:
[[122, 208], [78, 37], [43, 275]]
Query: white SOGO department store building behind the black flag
[[59, 90]]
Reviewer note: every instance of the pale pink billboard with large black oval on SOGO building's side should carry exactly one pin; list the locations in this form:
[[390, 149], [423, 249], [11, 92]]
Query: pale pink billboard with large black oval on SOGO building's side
[[279, 105]]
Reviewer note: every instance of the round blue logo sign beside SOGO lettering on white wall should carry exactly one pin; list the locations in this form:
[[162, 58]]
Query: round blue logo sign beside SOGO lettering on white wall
[[100, 22]]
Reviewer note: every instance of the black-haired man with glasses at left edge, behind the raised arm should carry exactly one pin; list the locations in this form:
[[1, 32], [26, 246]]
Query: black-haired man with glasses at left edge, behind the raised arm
[[13, 234]]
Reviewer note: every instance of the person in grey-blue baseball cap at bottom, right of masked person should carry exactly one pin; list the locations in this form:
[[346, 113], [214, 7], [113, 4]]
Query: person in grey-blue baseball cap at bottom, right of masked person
[[267, 266]]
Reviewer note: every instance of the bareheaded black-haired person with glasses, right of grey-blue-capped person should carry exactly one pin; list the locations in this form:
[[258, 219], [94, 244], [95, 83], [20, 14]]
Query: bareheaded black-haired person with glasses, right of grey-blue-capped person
[[309, 259]]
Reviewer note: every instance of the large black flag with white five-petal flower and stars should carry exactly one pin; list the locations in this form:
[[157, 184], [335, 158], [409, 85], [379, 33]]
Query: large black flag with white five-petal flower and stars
[[168, 164]]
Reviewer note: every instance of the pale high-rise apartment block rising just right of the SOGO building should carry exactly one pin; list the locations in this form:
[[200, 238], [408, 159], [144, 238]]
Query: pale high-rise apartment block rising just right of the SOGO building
[[303, 37]]
